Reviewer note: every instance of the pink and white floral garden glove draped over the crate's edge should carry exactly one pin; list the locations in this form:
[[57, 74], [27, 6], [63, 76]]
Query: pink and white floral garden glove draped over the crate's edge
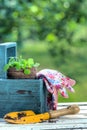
[[55, 82]]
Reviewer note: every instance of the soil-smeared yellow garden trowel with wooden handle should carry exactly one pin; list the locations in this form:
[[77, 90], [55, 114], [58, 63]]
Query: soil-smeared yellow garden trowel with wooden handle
[[27, 117]]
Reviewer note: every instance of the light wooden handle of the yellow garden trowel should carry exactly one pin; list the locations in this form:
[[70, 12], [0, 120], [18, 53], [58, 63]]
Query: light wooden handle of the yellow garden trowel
[[73, 109]]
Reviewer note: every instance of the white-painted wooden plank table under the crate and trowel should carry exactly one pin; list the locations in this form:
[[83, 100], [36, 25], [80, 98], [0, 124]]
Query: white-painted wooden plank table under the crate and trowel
[[69, 122]]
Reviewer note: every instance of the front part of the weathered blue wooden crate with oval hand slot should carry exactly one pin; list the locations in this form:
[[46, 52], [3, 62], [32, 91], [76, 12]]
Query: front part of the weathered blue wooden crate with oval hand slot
[[19, 95]]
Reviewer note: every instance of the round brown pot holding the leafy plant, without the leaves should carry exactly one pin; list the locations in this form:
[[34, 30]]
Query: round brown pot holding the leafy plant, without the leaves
[[12, 73]]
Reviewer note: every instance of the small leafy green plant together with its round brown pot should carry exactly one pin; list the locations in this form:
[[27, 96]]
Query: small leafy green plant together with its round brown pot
[[19, 68]]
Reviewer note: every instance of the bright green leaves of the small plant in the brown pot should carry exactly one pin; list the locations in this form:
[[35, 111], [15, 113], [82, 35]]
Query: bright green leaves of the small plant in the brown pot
[[20, 63]]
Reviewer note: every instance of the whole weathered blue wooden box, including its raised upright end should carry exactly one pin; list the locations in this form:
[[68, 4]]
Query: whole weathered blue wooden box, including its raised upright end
[[19, 94]]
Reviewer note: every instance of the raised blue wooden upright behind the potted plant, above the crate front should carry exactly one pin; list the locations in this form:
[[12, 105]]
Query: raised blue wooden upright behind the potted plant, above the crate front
[[7, 50]]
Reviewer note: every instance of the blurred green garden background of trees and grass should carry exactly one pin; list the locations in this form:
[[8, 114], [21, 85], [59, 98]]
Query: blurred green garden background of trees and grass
[[54, 33]]
